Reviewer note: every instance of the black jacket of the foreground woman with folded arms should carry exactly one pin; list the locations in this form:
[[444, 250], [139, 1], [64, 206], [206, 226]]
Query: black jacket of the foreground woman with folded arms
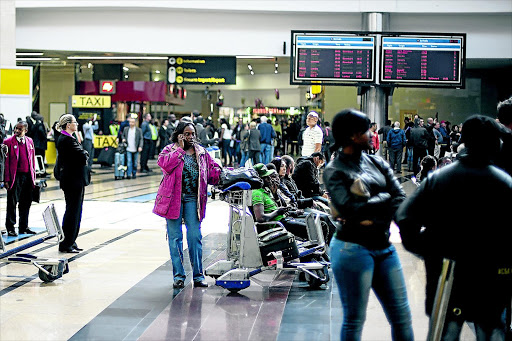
[[385, 195]]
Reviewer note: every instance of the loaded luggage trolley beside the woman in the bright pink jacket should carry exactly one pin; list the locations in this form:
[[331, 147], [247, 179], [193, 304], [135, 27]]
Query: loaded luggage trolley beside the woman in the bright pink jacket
[[246, 250]]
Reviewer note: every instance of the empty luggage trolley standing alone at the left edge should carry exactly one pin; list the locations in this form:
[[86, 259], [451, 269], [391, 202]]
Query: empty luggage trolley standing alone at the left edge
[[50, 269]]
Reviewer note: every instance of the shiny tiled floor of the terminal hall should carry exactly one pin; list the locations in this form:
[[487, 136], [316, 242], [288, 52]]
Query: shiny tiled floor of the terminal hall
[[120, 286]]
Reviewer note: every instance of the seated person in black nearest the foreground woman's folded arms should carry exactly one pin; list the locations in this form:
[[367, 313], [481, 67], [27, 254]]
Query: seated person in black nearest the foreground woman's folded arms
[[306, 177]]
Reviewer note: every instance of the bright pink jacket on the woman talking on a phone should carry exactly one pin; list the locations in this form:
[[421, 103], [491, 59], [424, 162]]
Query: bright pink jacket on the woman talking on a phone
[[168, 198]]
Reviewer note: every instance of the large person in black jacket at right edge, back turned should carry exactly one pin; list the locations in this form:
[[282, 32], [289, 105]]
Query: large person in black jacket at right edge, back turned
[[477, 238]]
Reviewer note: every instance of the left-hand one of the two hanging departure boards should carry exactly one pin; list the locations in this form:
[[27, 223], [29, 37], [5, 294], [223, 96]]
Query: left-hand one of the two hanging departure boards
[[332, 58]]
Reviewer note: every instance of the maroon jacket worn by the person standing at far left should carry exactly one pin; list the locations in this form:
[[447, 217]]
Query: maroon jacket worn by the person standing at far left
[[11, 161]]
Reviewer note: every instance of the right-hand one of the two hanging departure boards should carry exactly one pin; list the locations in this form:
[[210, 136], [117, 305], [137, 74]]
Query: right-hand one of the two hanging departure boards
[[422, 60]]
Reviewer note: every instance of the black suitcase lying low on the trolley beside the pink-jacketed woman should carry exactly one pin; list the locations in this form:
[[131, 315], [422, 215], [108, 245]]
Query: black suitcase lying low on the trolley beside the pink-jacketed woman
[[277, 239]]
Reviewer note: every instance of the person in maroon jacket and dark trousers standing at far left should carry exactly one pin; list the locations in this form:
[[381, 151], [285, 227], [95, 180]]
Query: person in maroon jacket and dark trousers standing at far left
[[20, 178]]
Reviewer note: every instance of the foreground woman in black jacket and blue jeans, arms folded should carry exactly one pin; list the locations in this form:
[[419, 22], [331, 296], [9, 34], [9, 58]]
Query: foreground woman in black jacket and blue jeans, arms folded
[[364, 197]]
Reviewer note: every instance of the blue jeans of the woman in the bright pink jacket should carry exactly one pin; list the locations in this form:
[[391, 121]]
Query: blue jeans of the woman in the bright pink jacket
[[188, 212]]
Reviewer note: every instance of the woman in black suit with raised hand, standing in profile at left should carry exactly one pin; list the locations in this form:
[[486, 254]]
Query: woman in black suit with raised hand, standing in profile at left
[[74, 176]]
